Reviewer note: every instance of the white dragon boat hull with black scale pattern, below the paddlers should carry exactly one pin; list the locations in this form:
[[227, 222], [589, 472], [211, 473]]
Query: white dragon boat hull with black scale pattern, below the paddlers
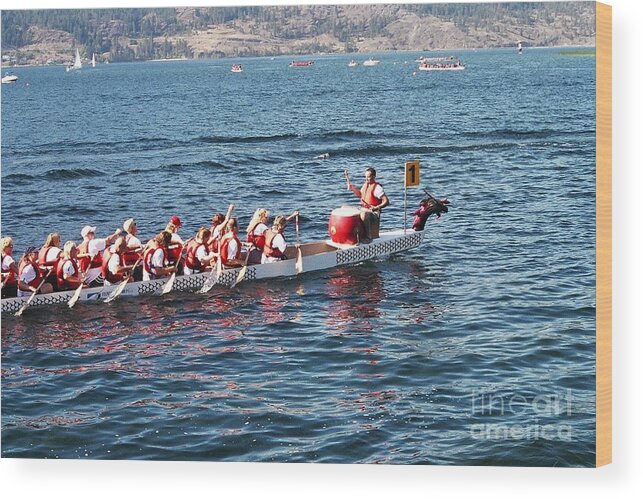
[[320, 255]]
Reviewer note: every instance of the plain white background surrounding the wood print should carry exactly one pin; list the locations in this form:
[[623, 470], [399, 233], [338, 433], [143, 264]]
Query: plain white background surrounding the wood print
[[69, 479]]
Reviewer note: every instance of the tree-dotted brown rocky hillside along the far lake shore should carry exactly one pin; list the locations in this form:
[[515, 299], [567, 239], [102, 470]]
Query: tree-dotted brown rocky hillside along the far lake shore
[[49, 36]]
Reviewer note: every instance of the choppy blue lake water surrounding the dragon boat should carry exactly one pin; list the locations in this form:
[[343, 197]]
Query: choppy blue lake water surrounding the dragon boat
[[416, 359]]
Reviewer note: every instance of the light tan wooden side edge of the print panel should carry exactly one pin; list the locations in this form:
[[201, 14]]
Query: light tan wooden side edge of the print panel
[[603, 234]]
